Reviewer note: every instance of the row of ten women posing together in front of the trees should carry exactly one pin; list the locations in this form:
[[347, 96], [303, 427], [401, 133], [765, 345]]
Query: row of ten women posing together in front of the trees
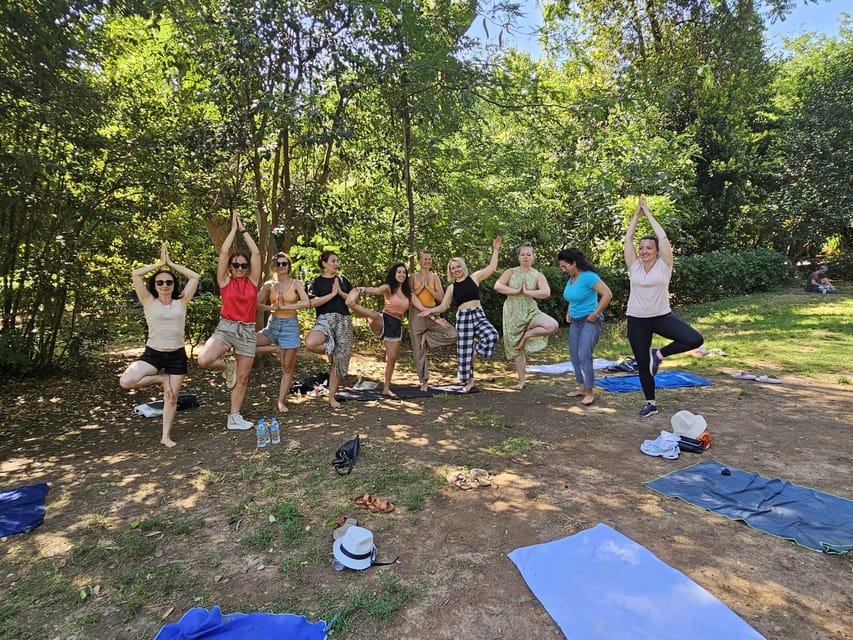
[[419, 294]]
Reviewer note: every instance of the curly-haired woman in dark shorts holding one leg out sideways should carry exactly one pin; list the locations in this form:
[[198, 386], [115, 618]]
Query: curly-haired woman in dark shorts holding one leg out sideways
[[388, 324]]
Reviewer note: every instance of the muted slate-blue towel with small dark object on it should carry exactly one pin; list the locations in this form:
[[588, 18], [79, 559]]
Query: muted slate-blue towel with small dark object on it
[[811, 518]]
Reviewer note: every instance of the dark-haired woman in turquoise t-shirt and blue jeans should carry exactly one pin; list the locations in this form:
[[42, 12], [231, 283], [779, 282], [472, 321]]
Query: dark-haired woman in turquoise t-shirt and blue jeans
[[588, 296]]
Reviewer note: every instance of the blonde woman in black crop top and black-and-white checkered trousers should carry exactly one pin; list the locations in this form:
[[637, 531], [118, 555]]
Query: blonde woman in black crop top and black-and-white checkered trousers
[[471, 321]]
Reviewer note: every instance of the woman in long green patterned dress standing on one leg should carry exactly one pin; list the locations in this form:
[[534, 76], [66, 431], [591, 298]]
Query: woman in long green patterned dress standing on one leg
[[526, 328]]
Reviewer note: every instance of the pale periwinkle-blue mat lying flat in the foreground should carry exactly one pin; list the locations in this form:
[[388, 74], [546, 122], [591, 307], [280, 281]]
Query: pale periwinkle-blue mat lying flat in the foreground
[[600, 585]]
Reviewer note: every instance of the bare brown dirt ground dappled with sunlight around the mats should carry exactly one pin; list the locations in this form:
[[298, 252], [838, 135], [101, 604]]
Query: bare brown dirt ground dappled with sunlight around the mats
[[106, 469]]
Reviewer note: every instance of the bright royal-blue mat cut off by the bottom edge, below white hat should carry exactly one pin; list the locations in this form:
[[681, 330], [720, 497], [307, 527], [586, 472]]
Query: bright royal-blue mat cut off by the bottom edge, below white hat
[[198, 624]]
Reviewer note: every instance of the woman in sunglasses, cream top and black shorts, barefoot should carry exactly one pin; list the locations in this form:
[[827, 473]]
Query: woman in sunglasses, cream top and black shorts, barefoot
[[165, 307]]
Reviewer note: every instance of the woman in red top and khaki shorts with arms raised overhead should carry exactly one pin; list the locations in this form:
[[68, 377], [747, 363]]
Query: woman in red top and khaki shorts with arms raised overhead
[[237, 276]]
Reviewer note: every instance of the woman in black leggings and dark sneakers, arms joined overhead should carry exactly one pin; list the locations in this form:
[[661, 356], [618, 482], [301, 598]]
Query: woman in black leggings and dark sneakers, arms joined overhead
[[649, 313]]
